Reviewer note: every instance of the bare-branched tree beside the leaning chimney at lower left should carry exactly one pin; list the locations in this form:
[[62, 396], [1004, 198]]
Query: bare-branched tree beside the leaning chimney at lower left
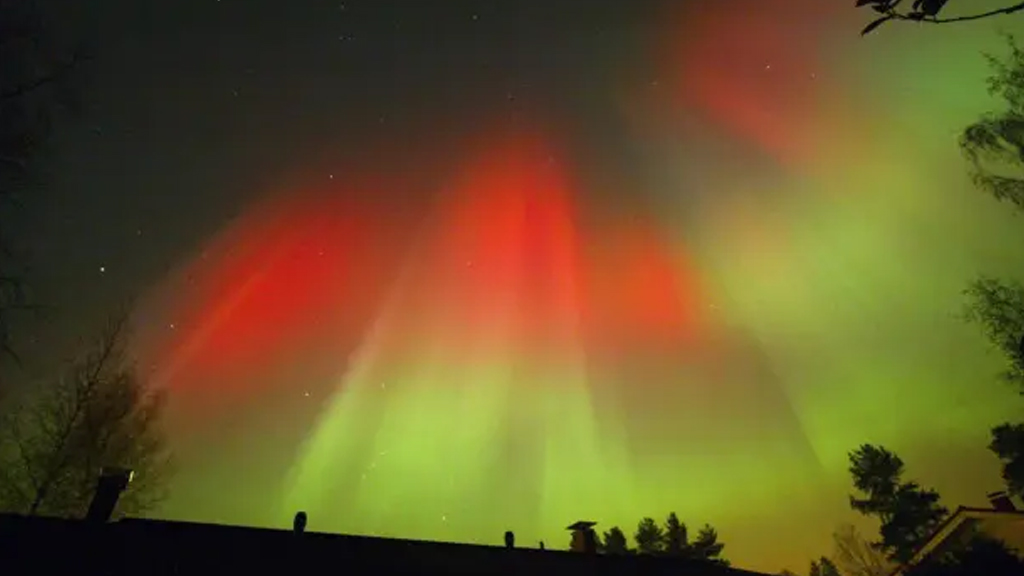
[[99, 415]]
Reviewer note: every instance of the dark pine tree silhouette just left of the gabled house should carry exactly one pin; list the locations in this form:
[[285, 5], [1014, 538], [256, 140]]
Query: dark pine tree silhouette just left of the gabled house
[[909, 513]]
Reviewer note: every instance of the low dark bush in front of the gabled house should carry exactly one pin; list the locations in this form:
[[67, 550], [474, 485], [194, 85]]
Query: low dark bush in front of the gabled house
[[980, 556]]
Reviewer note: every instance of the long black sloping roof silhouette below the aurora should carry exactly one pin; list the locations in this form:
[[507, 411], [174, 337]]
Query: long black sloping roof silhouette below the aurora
[[142, 548]]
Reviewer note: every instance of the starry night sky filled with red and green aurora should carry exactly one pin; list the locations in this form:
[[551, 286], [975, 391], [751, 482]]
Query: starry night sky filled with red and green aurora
[[439, 270]]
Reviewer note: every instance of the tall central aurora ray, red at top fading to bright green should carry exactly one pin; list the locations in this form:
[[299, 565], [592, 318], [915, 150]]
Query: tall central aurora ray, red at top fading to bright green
[[472, 393]]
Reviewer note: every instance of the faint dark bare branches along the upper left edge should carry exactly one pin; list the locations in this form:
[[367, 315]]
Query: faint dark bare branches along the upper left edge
[[35, 80]]
